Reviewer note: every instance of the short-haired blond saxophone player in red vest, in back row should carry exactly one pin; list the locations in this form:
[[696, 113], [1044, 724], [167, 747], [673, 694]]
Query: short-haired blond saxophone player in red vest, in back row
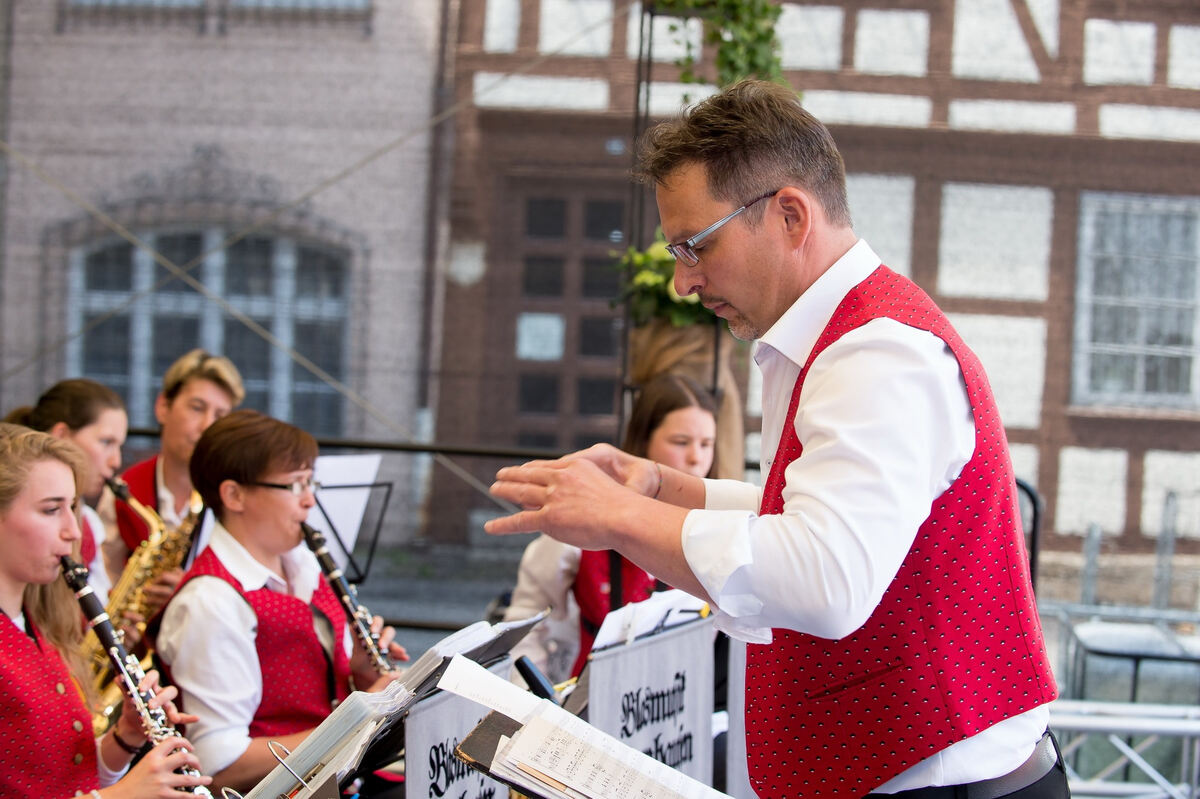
[[197, 391]]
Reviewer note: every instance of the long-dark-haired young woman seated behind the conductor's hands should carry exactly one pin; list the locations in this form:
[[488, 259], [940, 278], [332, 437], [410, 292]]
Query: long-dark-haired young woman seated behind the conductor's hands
[[674, 422]]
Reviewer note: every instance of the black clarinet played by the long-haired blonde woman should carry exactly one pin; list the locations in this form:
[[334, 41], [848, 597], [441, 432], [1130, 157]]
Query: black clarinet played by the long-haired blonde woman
[[127, 669]]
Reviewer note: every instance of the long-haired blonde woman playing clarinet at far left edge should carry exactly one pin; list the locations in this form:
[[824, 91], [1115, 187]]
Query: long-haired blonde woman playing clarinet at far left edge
[[47, 748]]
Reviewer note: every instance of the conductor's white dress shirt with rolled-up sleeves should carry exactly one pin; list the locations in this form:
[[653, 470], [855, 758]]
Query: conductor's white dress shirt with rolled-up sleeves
[[886, 428]]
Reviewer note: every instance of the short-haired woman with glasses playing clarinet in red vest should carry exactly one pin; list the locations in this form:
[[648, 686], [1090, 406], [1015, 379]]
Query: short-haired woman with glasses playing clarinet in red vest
[[255, 638]]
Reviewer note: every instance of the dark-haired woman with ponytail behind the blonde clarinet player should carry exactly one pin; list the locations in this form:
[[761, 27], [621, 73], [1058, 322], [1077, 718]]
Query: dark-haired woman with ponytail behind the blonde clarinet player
[[93, 417]]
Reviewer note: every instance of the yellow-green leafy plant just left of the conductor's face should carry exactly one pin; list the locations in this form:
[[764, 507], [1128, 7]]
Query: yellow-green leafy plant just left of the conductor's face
[[649, 286]]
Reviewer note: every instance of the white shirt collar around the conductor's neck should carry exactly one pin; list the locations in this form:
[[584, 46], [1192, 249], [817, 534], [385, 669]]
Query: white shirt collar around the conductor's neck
[[796, 333]]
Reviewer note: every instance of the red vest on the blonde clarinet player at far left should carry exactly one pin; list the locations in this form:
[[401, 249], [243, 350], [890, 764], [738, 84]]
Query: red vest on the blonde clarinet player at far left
[[46, 743]]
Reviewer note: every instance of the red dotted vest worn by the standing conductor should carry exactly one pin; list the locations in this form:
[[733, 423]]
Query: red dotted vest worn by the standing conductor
[[955, 646]]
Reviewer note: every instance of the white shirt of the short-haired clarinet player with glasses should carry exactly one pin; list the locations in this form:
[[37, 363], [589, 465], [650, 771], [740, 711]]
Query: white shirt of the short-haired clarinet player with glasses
[[208, 638]]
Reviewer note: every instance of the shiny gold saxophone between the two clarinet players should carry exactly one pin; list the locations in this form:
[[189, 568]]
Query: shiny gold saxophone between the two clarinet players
[[161, 552]]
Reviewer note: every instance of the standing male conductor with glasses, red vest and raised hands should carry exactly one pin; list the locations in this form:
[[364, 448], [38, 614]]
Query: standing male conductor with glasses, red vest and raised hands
[[880, 574]]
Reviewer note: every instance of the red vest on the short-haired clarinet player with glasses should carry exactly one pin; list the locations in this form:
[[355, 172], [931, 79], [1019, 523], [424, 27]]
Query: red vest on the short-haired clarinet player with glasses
[[299, 689]]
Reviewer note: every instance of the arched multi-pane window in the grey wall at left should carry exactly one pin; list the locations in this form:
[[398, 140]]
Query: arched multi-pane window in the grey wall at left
[[295, 290]]
